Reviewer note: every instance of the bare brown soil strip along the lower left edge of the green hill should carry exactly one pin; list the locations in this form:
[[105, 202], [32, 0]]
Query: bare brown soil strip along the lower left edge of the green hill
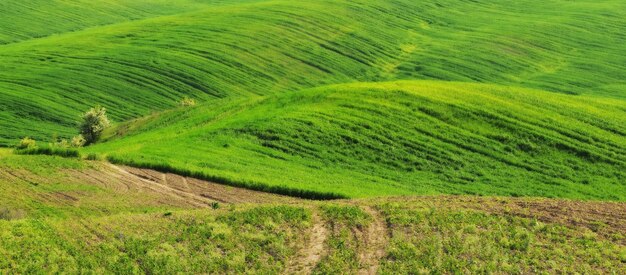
[[146, 184]]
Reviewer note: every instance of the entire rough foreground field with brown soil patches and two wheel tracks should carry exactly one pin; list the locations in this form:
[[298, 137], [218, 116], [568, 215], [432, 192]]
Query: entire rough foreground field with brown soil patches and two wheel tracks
[[71, 216]]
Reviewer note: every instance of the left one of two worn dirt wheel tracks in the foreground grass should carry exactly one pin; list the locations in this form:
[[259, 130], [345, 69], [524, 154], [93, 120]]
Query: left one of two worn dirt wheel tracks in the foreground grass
[[313, 250]]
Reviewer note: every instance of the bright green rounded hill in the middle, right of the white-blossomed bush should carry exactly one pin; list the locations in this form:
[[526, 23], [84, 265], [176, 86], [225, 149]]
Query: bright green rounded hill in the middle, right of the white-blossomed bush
[[413, 137]]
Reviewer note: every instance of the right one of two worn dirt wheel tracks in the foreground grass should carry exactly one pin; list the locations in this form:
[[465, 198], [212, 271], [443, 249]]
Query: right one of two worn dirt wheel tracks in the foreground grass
[[376, 239]]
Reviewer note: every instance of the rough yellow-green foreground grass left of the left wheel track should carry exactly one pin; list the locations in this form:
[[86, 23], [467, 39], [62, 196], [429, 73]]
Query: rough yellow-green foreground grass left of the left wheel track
[[257, 240]]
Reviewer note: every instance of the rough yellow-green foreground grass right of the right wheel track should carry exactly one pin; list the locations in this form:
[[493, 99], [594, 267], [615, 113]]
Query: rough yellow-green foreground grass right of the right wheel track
[[440, 240]]
